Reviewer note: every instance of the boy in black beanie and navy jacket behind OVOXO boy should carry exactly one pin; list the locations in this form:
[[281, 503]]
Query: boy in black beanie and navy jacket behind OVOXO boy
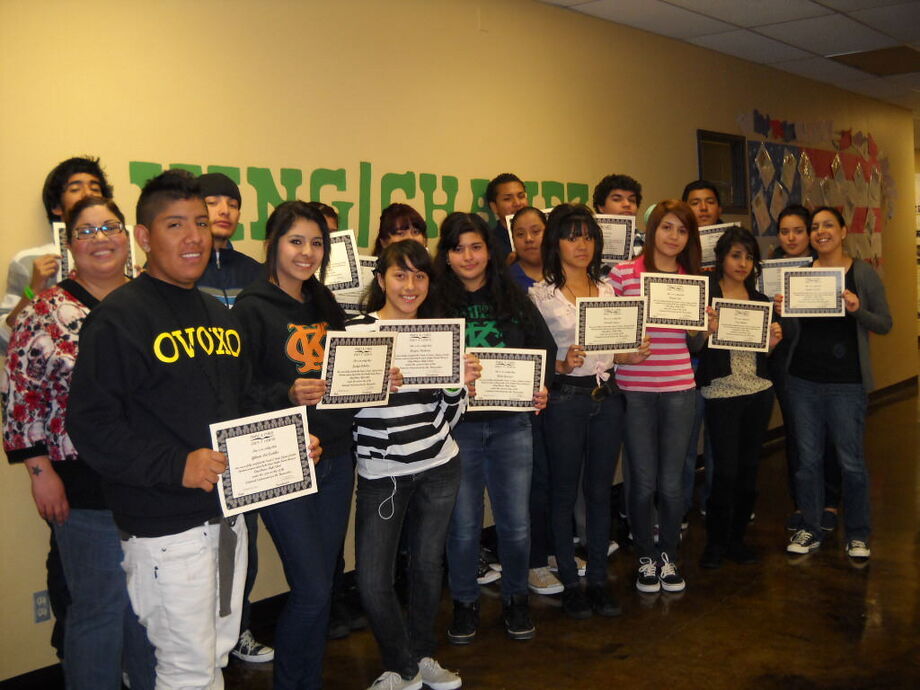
[[228, 270]]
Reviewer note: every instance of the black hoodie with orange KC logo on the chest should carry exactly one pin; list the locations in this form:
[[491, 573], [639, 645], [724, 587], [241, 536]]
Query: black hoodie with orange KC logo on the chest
[[286, 340]]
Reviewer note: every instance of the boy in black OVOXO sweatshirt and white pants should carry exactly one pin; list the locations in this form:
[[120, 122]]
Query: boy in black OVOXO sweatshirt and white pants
[[158, 363]]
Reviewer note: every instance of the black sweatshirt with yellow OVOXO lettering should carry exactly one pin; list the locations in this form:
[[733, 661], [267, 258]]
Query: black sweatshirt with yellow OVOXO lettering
[[157, 365]]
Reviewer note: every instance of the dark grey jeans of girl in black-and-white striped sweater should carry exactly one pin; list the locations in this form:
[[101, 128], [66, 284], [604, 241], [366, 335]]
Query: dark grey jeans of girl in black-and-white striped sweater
[[383, 506]]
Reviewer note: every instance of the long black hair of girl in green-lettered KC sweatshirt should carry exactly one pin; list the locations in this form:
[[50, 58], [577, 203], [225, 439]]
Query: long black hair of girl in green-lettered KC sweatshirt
[[508, 301]]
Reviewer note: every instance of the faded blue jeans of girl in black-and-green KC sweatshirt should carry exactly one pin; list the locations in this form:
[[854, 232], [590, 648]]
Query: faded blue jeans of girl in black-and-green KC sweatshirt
[[496, 453]]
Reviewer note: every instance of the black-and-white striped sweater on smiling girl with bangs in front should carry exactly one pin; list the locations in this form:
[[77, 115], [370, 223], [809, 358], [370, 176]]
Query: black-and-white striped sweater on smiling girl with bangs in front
[[409, 435]]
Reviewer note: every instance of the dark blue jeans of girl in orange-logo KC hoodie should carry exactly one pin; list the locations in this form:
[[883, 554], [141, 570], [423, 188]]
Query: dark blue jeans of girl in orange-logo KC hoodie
[[308, 533]]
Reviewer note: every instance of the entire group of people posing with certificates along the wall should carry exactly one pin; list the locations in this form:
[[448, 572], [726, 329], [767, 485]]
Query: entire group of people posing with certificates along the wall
[[111, 384]]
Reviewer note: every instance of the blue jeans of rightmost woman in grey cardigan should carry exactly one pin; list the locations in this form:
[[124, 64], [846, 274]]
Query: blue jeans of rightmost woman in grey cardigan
[[835, 413]]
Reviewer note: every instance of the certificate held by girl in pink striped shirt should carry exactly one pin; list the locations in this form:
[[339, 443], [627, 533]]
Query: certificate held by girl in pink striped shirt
[[675, 301]]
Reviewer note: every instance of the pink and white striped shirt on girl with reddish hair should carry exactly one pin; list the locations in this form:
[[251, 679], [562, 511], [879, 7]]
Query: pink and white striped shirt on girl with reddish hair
[[668, 367]]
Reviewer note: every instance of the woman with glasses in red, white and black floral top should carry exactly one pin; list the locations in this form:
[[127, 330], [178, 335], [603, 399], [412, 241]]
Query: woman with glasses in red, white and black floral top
[[101, 628]]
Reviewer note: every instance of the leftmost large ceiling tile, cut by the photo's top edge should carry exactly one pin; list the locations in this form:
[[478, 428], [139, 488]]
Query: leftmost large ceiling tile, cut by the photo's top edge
[[657, 17]]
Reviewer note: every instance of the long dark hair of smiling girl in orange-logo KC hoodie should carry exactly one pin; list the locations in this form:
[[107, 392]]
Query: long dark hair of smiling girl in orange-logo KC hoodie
[[279, 222]]
